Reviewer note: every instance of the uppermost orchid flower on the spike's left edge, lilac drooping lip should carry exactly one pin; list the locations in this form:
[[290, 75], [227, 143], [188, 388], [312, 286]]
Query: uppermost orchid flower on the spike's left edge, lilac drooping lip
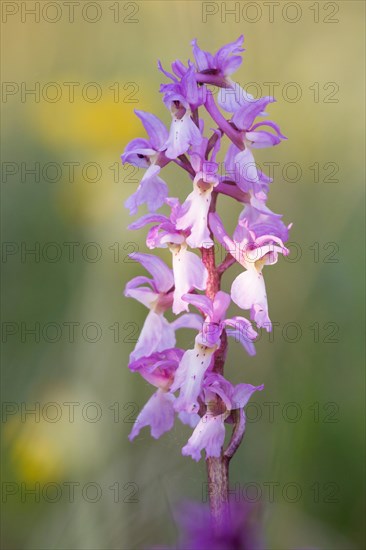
[[147, 154]]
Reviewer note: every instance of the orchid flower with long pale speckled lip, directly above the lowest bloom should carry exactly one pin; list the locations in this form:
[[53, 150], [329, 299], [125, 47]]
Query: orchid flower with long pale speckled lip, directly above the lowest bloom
[[196, 362]]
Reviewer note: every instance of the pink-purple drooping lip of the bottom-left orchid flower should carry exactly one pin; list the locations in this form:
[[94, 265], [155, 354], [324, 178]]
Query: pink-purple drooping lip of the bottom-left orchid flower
[[158, 413]]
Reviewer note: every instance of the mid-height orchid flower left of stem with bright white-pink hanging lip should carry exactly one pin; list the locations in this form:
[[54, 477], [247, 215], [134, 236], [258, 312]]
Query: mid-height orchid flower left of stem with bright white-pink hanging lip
[[188, 269]]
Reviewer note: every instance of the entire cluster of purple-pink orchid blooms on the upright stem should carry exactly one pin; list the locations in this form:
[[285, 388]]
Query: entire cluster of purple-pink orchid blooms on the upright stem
[[191, 383]]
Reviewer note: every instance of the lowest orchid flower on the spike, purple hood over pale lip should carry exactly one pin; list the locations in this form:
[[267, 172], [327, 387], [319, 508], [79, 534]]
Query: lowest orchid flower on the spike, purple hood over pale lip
[[210, 431]]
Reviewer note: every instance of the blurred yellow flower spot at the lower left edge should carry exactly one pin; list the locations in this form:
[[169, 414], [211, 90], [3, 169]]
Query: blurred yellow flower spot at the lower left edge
[[47, 445]]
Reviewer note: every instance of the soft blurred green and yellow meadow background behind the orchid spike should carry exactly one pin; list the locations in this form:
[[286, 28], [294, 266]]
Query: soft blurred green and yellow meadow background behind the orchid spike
[[72, 76]]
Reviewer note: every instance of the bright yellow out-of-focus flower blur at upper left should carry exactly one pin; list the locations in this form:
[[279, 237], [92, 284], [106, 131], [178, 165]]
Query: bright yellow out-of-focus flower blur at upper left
[[106, 124]]
